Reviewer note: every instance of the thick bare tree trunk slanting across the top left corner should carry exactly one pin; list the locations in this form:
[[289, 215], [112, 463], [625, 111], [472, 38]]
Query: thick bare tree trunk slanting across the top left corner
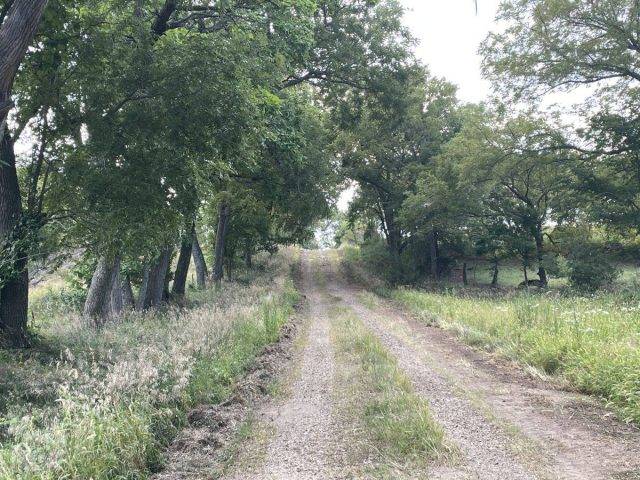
[[16, 33]]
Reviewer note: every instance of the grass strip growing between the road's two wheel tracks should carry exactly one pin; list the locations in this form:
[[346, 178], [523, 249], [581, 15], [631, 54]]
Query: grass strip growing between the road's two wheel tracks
[[396, 423]]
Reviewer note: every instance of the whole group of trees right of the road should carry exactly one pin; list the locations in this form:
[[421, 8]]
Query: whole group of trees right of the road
[[443, 183]]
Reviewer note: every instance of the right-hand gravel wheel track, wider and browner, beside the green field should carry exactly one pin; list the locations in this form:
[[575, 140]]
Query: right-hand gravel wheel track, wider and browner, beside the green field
[[506, 424]]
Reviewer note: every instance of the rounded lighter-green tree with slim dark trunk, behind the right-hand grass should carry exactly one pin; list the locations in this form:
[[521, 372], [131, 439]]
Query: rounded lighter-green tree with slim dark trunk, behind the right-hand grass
[[525, 181]]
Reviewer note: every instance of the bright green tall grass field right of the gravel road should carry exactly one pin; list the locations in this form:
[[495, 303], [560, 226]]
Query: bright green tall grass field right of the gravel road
[[593, 342]]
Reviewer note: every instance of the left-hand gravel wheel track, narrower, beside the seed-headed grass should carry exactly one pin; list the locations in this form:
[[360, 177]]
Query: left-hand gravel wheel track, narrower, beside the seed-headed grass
[[306, 439]]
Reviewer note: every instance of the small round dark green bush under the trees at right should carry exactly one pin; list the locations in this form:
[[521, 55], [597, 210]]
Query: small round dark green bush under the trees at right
[[590, 268]]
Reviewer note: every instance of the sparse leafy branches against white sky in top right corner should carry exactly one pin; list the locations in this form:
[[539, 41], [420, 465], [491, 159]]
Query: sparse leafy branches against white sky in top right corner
[[553, 44]]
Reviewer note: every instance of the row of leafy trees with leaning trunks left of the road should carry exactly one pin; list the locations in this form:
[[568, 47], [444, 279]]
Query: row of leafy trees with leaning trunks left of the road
[[172, 128]]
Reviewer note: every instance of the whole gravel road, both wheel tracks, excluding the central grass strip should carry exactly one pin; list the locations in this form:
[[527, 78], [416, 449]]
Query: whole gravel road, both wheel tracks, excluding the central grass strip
[[505, 424]]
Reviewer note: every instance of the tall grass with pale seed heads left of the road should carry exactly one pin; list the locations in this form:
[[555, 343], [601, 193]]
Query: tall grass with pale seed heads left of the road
[[103, 405]]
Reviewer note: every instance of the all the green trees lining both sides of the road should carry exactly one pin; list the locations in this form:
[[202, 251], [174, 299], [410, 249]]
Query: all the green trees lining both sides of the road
[[162, 131]]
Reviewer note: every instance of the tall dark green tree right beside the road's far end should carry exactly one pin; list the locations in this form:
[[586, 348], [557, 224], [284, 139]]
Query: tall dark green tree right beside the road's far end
[[396, 134]]
